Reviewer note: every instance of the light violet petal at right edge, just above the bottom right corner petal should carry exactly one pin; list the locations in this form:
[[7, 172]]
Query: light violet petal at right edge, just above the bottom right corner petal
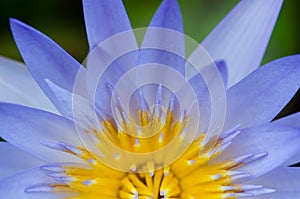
[[279, 142]]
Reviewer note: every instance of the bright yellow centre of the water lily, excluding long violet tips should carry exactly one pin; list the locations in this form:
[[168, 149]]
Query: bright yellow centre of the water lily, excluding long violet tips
[[189, 177]]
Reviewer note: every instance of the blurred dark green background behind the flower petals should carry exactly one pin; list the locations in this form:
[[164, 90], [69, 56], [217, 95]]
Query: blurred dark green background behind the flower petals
[[62, 20]]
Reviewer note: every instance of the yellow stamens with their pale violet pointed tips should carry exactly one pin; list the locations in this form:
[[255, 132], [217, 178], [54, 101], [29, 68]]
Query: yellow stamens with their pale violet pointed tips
[[193, 175]]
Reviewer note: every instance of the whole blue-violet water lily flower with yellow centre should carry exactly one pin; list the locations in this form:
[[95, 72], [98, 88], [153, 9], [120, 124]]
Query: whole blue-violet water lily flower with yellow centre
[[146, 121]]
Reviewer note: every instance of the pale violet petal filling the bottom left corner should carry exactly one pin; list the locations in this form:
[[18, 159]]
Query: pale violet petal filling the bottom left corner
[[14, 186]]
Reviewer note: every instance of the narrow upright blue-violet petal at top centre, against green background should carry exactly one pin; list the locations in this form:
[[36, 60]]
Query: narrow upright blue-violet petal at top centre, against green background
[[161, 44]]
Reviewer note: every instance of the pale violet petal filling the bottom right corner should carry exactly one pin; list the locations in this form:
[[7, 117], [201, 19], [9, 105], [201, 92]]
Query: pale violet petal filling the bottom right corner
[[285, 180]]
